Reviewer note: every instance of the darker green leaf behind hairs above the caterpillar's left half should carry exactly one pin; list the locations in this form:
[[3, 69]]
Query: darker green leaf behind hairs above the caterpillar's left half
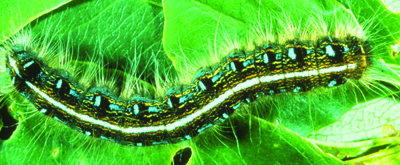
[[125, 33]]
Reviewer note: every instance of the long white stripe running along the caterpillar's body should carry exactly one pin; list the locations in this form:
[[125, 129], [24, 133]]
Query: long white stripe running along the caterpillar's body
[[181, 122]]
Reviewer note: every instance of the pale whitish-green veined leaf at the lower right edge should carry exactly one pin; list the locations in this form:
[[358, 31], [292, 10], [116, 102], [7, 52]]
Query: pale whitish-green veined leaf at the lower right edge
[[362, 122]]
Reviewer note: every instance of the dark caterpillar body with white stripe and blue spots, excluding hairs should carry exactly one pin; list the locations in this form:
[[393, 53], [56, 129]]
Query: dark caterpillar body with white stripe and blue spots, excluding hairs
[[185, 111]]
